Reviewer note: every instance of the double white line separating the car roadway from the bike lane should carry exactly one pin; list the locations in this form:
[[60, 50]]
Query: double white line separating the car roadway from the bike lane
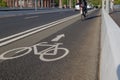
[[9, 40]]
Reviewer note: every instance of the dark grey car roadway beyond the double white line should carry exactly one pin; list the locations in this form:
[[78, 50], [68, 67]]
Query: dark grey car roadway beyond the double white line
[[15, 24]]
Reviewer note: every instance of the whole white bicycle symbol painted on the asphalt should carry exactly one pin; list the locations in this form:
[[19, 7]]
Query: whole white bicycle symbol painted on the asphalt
[[51, 50]]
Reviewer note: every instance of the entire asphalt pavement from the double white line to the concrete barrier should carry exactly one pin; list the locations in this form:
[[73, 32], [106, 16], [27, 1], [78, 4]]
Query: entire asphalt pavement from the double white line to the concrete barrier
[[77, 58]]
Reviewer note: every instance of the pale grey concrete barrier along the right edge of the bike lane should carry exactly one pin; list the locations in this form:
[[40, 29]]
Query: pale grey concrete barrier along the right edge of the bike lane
[[110, 49]]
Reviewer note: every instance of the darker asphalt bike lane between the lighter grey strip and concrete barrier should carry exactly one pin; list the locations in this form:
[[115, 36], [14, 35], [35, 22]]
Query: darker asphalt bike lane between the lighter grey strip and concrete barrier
[[81, 63]]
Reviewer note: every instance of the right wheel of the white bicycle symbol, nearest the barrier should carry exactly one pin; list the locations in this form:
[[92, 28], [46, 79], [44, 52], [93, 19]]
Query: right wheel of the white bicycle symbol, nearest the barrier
[[42, 56]]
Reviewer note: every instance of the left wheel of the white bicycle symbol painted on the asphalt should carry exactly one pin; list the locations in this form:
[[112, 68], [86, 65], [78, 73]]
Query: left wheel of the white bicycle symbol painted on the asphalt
[[15, 53]]
